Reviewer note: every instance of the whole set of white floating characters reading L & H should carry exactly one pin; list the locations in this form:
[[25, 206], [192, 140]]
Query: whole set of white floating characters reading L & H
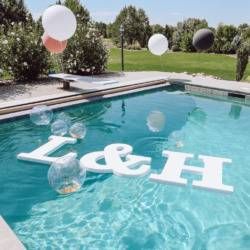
[[118, 159]]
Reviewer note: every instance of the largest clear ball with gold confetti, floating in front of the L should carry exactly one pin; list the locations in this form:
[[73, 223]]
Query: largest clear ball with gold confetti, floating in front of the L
[[66, 176]]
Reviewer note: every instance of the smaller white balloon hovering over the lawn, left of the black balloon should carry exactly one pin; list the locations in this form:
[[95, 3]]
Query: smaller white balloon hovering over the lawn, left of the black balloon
[[158, 44]]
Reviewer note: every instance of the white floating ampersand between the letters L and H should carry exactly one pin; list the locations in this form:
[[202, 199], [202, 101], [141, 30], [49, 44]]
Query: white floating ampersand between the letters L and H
[[119, 161]]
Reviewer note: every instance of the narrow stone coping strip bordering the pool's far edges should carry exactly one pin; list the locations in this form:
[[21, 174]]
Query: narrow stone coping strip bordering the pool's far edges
[[196, 85]]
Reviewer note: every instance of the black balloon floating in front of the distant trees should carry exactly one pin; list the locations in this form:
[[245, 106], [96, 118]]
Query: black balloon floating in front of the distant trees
[[203, 39]]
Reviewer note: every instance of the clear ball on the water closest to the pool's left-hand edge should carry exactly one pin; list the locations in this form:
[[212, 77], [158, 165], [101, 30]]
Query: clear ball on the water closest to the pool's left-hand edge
[[41, 115]]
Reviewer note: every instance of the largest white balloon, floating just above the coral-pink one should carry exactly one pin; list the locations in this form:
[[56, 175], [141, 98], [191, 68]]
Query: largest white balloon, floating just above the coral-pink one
[[59, 22]]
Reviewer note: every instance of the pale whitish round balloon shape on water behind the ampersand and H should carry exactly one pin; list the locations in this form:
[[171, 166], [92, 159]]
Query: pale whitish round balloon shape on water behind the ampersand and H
[[156, 121]]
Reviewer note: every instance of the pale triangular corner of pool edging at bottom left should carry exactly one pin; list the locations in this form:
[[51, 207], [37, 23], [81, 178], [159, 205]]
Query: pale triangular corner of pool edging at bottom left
[[8, 238]]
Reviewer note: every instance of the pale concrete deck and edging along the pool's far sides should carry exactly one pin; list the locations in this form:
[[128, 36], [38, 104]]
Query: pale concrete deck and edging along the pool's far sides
[[14, 98]]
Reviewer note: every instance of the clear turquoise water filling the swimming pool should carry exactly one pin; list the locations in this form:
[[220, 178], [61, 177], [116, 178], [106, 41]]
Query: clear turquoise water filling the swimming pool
[[112, 212]]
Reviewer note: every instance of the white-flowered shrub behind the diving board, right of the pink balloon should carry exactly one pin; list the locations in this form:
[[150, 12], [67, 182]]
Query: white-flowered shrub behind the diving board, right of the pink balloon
[[85, 54]]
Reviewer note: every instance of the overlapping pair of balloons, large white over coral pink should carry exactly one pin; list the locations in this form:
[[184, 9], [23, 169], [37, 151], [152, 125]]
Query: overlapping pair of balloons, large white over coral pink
[[59, 24]]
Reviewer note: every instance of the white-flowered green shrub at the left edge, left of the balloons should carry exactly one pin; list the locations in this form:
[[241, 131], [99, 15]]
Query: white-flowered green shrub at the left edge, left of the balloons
[[23, 55]]
